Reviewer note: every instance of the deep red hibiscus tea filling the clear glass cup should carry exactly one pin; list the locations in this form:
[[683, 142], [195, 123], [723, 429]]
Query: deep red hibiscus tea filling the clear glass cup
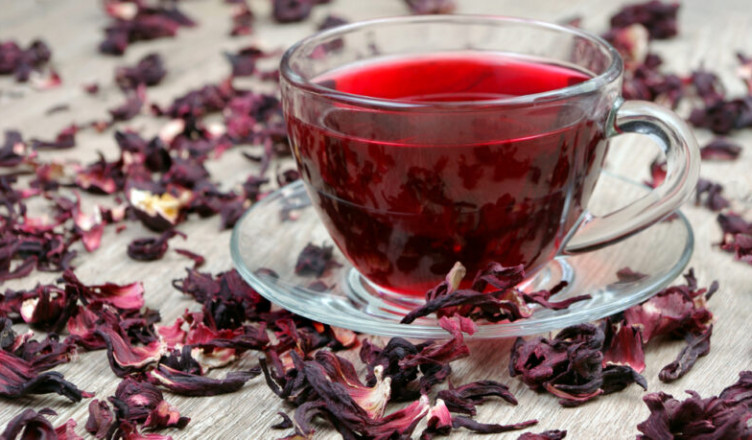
[[407, 192]]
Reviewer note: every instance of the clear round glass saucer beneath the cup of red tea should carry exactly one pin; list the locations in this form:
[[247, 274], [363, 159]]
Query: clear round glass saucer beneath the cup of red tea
[[267, 240]]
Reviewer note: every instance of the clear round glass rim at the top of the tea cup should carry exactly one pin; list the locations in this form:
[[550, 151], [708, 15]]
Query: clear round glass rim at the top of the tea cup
[[611, 73]]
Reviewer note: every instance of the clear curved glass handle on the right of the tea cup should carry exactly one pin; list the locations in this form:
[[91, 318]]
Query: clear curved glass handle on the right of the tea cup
[[678, 143]]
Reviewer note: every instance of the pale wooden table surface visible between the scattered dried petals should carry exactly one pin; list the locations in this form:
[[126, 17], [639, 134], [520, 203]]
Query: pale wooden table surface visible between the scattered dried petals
[[710, 34]]
